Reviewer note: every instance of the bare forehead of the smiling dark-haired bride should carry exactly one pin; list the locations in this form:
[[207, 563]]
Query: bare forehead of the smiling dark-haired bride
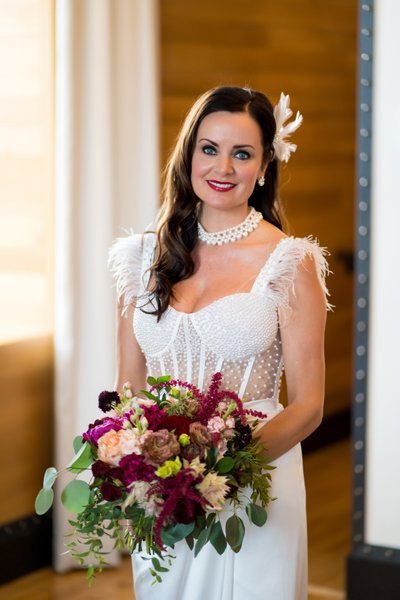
[[238, 127]]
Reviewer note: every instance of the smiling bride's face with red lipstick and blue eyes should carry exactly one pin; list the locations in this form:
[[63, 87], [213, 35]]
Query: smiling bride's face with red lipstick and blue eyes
[[227, 159]]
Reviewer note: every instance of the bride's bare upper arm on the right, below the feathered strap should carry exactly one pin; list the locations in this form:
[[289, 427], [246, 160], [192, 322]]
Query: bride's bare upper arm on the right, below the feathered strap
[[302, 334]]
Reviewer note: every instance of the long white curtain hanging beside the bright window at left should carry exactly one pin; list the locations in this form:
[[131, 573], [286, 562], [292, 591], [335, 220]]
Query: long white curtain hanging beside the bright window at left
[[107, 181]]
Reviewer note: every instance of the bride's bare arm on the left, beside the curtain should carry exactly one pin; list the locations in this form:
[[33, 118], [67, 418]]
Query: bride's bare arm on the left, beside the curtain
[[131, 364]]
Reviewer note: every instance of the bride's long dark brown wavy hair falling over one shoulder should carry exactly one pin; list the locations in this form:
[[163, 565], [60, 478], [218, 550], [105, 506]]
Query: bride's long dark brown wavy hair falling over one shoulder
[[177, 220]]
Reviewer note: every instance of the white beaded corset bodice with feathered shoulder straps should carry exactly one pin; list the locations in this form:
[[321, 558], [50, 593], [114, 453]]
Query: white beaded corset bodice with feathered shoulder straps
[[237, 334]]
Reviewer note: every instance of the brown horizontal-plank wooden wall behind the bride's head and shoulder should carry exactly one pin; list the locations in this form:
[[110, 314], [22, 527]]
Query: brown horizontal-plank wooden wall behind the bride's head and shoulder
[[306, 48]]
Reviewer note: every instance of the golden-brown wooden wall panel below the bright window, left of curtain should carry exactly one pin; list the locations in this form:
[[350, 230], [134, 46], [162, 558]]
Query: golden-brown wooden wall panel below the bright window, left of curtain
[[26, 424]]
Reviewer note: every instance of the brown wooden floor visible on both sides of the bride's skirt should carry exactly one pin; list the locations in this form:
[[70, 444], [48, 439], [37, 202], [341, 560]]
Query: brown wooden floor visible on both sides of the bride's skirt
[[328, 480]]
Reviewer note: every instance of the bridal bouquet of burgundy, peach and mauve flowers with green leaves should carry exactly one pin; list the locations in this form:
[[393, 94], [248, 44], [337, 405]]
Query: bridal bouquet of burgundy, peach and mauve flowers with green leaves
[[162, 465]]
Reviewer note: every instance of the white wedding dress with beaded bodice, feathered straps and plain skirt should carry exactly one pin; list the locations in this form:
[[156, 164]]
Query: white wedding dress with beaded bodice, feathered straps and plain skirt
[[237, 335]]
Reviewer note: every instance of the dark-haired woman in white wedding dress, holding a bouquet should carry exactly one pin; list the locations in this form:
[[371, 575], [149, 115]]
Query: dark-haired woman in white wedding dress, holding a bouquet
[[220, 287]]
